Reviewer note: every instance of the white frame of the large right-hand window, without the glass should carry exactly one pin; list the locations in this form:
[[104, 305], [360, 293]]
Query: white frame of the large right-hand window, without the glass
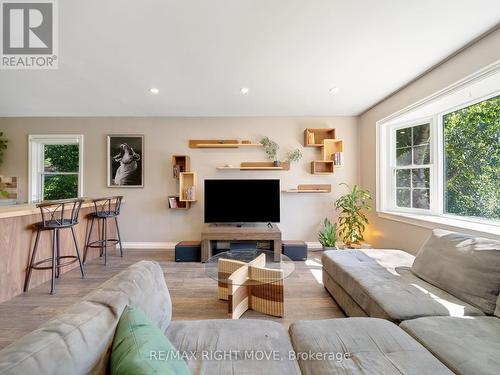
[[464, 93]]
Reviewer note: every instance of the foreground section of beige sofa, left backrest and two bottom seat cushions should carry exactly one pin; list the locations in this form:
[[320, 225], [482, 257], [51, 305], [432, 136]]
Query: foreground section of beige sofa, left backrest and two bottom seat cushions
[[79, 340]]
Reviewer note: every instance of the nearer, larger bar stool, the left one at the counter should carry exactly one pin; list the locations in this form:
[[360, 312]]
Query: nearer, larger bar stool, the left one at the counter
[[56, 216]]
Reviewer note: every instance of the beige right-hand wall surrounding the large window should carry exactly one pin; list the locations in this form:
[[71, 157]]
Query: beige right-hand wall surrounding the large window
[[391, 234]]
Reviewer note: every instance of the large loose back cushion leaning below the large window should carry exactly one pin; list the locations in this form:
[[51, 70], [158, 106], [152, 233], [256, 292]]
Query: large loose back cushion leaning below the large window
[[467, 267]]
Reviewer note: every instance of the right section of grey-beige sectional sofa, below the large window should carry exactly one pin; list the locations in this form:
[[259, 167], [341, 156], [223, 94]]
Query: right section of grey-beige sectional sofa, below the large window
[[447, 297]]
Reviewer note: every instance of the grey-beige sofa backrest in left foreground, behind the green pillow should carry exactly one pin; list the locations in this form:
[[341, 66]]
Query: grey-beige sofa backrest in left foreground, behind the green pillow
[[80, 338]]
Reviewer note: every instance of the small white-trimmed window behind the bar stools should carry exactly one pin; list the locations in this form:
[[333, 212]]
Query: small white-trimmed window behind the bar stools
[[55, 167]]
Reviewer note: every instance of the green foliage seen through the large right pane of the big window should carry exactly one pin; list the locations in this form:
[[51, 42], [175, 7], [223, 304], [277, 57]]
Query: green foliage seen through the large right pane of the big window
[[472, 160]]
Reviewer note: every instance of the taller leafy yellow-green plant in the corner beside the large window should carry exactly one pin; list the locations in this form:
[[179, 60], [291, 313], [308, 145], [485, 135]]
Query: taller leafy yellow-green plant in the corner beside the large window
[[353, 207]]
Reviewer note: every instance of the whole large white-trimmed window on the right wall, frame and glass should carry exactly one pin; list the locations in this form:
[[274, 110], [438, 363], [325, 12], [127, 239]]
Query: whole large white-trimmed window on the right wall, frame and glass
[[442, 157]]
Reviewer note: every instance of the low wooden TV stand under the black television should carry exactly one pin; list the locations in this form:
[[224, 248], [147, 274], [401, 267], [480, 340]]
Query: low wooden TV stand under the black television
[[250, 232]]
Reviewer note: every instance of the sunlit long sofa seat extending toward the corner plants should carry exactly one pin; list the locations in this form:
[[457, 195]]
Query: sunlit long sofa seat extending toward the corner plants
[[381, 283]]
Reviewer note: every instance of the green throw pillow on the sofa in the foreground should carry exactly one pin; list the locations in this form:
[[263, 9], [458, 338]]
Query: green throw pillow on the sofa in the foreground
[[139, 347]]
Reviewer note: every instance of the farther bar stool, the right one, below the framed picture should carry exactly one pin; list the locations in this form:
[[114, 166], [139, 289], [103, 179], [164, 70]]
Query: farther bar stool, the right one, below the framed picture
[[104, 209]]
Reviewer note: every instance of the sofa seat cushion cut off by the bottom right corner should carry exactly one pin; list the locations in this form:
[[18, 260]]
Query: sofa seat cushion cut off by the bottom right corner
[[468, 346]]
